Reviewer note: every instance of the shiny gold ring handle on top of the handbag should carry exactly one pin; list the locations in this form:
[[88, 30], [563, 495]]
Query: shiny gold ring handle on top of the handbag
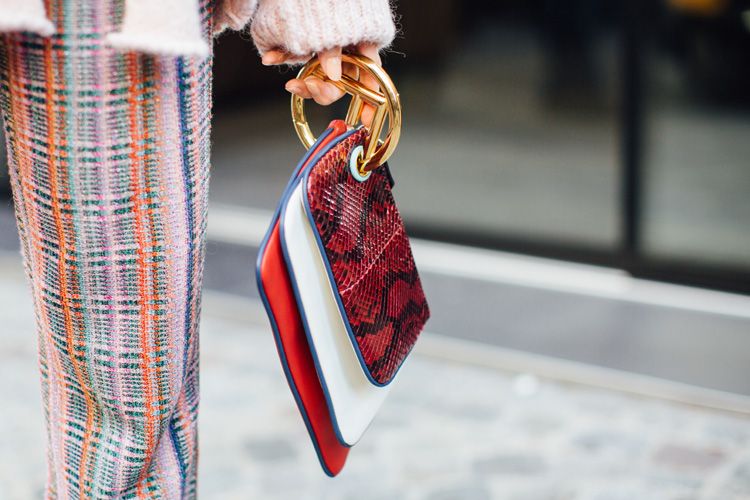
[[386, 102]]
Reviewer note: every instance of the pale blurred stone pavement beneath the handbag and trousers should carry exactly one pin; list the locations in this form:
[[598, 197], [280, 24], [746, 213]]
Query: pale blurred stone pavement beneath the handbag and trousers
[[449, 431]]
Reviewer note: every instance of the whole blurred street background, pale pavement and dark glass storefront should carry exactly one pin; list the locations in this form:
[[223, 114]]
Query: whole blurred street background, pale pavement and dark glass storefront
[[576, 176]]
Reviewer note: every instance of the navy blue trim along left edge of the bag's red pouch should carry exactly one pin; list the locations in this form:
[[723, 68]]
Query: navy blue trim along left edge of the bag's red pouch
[[264, 298]]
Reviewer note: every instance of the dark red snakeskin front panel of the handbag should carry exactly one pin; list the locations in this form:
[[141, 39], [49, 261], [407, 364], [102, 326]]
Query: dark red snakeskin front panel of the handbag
[[370, 259]]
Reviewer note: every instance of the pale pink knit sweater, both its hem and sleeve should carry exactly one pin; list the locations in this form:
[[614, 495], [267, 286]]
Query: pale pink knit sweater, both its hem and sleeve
[[299, 27]]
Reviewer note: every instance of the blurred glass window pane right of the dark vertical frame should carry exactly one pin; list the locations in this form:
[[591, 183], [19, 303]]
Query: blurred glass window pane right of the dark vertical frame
[[697, 181]]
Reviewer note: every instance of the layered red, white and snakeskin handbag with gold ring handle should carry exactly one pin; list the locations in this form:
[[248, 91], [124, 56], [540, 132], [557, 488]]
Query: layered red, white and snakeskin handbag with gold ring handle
[[336, 272]]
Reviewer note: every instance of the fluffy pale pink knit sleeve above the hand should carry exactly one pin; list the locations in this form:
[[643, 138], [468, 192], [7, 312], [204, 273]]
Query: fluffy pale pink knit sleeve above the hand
[[304, 27]]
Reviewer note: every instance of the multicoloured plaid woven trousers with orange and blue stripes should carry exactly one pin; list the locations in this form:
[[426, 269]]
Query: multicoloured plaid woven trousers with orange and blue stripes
[[109, 164]]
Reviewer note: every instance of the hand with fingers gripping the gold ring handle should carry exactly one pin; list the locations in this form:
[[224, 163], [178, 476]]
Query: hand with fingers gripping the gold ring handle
[[325, 93]]
